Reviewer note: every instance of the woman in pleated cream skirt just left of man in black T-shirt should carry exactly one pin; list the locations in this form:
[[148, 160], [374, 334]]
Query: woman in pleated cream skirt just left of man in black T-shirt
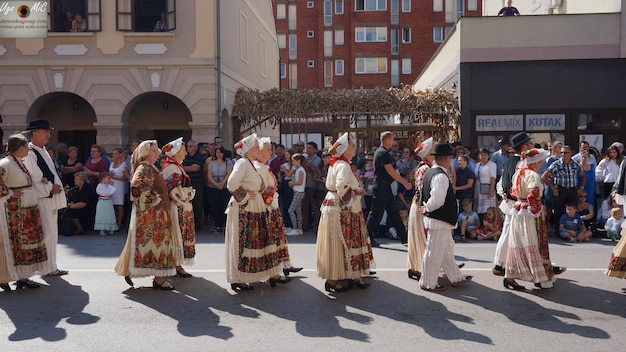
[[344, 250]]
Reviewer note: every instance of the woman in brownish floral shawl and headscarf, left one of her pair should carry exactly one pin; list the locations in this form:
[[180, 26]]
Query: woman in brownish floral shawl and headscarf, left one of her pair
[[152, 247]]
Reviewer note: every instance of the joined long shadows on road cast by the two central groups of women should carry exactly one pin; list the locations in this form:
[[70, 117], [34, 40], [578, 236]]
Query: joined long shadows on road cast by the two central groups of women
[[317, 314]]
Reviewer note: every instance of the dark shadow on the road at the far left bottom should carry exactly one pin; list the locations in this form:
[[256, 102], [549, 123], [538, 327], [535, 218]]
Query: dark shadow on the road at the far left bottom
[[35, 313]]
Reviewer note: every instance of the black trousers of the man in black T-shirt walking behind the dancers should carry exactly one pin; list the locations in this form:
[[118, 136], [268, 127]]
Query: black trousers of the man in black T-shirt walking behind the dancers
[[384, 201]]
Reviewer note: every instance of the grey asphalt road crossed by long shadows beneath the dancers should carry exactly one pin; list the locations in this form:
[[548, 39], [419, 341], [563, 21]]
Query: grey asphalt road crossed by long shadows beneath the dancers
[[92, 309]]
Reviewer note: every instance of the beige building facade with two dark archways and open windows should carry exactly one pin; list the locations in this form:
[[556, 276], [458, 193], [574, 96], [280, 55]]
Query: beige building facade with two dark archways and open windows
[[122, 79]]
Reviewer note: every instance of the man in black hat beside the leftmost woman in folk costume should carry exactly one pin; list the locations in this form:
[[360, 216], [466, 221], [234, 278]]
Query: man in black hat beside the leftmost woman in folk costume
[[41, 167]]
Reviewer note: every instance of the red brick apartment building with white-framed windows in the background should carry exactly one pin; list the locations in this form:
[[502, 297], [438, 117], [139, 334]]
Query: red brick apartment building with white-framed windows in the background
[[337, 44]]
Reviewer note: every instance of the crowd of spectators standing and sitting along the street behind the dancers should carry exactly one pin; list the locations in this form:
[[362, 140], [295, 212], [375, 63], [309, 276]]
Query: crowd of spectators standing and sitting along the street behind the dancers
[[475, 173]]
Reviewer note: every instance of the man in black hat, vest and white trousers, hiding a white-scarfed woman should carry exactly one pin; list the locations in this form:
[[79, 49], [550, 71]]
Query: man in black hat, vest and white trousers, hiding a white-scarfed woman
[[441, 211]]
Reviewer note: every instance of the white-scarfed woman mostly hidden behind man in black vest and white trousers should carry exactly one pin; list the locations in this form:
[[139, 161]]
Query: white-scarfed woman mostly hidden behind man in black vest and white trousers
[[416, 232]]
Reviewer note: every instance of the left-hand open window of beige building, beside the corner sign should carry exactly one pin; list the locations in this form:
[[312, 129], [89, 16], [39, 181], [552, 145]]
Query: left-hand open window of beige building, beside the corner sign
[[63, 13]]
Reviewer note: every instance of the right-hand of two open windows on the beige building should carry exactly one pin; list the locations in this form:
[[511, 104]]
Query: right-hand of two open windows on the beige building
[[146, 15]]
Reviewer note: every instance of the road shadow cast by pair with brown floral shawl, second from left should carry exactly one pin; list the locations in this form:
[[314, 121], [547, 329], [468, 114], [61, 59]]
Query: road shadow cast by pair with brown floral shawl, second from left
[[190, 305]]
